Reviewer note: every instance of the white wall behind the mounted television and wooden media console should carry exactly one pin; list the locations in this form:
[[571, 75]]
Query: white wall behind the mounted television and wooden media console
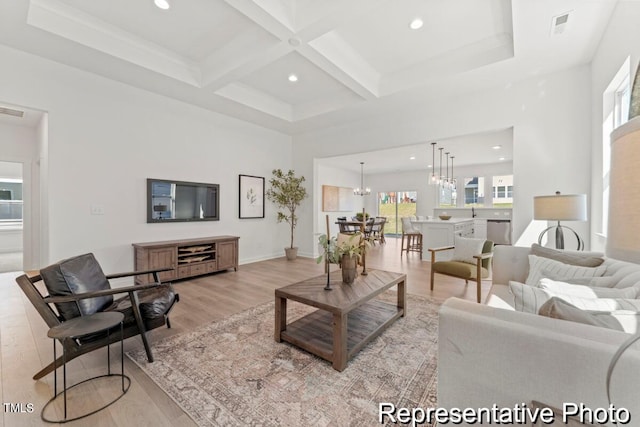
[[105, 138]]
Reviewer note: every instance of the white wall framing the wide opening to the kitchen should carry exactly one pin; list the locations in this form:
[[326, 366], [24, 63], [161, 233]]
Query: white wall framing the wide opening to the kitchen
[[550, 116]]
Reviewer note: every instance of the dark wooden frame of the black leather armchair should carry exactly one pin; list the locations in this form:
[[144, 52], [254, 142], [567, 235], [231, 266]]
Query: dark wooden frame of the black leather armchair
[[74, 348]]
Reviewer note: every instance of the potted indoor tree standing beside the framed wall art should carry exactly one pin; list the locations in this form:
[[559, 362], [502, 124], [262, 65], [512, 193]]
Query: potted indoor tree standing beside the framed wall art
[[287, 193]]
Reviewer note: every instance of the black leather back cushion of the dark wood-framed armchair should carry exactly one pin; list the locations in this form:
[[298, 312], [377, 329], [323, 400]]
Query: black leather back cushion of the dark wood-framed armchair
[[77, 275]]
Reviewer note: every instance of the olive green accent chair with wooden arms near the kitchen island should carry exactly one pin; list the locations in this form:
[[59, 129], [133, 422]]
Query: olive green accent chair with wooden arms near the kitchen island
[[464, 270]]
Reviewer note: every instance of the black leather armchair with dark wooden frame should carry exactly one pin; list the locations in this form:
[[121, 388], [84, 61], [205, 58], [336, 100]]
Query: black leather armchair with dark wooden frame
[[78, 287]]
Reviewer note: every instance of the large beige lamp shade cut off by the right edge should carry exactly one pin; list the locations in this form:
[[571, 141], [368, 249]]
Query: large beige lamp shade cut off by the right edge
[[623, 233]]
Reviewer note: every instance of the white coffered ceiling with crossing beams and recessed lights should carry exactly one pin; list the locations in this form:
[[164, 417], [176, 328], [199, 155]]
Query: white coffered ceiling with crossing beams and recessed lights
[[352, 58]]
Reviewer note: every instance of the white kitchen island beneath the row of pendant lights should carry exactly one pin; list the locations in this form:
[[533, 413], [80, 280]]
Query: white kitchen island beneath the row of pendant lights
[[437, 233]]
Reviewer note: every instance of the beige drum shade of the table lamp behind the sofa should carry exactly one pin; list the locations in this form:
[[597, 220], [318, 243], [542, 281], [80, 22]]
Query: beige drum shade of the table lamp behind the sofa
[[560, 207]]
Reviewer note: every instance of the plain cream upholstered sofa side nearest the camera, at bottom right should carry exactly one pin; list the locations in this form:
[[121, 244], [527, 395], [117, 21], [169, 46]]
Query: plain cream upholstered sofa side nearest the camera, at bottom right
[[488, 355]]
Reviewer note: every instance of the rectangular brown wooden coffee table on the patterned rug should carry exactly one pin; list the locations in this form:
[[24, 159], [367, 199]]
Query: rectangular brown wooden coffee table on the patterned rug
[[348, 316]]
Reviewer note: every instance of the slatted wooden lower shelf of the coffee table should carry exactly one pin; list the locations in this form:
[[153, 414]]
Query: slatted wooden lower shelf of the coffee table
[[314, 332]]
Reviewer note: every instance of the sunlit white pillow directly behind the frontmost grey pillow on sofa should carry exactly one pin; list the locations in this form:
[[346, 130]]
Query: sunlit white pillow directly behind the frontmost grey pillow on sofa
[[529, 299]]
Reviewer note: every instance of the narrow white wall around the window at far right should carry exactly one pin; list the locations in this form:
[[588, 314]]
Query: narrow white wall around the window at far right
[[619, 42]]
